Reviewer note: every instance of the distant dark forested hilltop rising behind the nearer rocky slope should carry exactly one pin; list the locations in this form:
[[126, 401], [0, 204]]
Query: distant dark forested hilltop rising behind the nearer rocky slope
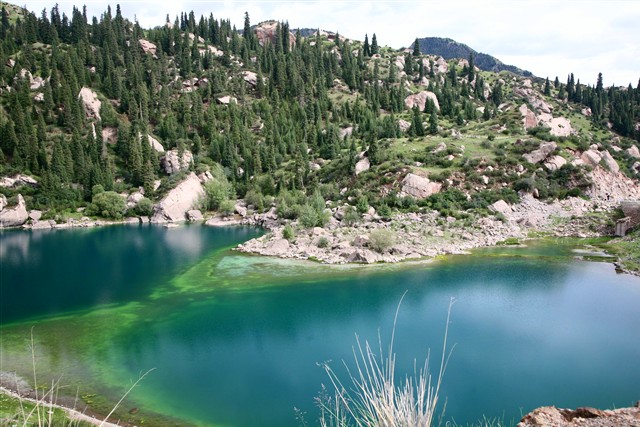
[[450, 49]]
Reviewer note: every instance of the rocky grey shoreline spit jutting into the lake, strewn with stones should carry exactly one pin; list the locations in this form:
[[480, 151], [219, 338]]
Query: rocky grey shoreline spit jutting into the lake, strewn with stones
[[413, 236]]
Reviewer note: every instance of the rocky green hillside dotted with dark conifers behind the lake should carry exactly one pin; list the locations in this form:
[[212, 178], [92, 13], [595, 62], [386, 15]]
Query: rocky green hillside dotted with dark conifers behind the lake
[[101, 119]]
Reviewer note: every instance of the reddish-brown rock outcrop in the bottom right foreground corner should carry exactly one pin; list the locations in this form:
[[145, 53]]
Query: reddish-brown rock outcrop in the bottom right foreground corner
[[550, 416]]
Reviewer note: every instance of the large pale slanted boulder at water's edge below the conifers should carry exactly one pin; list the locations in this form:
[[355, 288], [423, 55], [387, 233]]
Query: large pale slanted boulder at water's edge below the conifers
[[174, 206]]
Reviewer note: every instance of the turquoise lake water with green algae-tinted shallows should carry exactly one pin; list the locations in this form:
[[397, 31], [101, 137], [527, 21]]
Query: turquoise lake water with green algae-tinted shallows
[[236, 340]]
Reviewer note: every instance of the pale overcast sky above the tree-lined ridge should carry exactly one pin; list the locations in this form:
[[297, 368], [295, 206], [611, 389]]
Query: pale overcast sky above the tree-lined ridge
[[547, 37]]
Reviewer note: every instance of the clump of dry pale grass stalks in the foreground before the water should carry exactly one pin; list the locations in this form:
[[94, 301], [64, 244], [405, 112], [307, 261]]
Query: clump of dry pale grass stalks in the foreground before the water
[[373, 399]]
